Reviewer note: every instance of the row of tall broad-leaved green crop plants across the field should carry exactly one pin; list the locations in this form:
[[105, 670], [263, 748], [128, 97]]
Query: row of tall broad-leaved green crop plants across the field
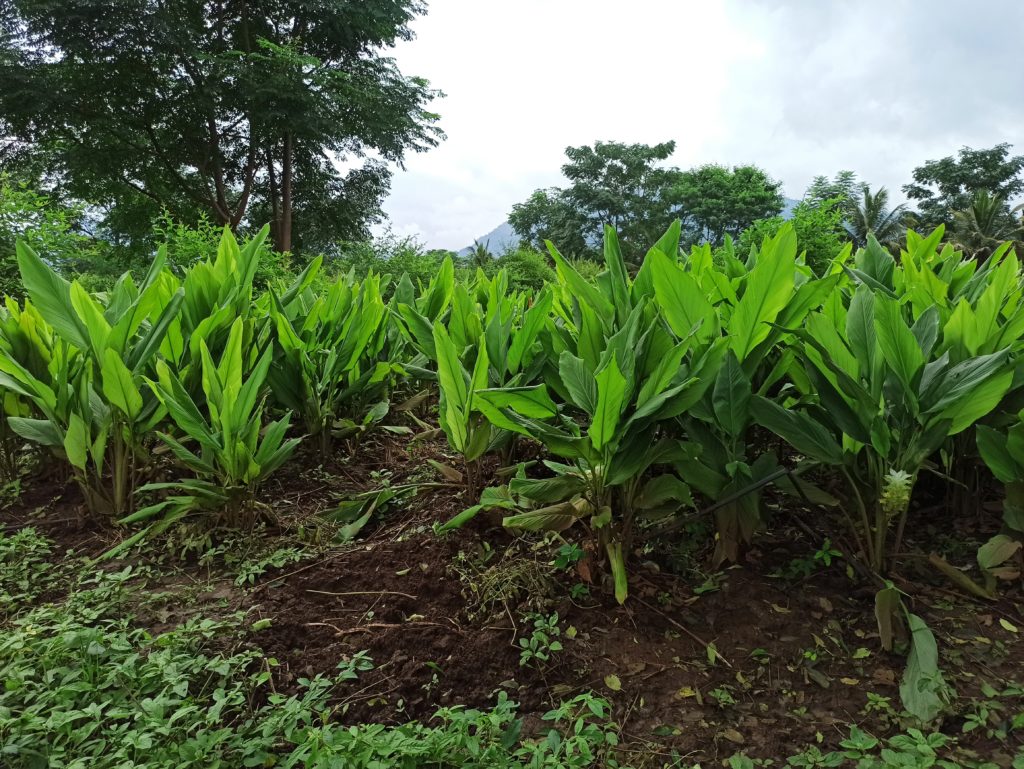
[[682, 384]]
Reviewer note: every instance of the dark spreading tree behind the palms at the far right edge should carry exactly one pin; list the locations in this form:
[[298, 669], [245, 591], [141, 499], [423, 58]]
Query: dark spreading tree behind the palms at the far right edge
[[943, 187]]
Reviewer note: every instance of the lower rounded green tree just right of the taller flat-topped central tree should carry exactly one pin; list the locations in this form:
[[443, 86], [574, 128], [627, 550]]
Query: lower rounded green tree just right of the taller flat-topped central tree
[[717, 201]]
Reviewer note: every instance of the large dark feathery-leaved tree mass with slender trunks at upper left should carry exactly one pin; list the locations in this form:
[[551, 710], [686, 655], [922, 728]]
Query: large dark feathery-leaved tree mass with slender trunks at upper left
[[235, 109]]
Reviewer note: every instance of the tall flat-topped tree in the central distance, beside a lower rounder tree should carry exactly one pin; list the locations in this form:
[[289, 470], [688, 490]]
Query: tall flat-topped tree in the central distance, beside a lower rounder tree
[[624, 186]]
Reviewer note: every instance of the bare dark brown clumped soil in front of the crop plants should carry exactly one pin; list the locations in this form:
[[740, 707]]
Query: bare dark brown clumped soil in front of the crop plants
[[763, 659]]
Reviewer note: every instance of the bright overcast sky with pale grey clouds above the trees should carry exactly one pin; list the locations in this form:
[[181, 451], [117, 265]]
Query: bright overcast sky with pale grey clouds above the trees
[[799, 88]]
